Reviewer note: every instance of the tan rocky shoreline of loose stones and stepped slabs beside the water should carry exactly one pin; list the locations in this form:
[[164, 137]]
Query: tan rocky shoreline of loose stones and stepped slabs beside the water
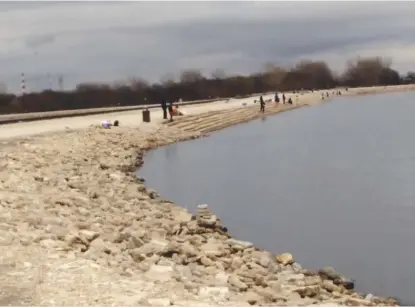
[[77, 227]]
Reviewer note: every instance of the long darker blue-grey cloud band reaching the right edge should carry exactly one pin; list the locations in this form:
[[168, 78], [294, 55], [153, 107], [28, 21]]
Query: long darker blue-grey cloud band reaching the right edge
[[281, 38]]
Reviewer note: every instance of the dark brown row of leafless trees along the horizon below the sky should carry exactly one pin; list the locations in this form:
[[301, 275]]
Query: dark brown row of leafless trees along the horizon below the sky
[[193, 85]]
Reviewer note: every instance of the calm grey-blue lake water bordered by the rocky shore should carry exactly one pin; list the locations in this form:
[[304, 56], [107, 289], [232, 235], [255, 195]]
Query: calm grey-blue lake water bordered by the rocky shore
[[332, 184]]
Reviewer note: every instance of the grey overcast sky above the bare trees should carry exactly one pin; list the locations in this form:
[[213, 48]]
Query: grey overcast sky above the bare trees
[[110, 41]]
